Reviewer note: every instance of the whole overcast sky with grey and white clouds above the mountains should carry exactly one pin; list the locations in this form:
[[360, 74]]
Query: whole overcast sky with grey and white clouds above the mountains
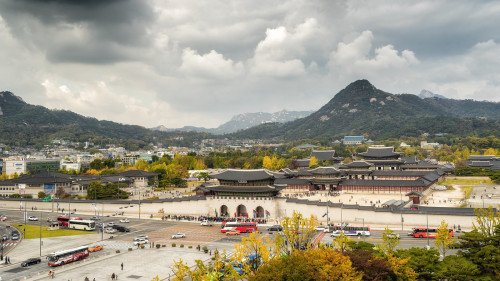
[[177, 63]]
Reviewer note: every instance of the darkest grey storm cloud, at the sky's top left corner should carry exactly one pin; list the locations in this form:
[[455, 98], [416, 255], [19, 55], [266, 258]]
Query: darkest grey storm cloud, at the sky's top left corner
[[81, 31]]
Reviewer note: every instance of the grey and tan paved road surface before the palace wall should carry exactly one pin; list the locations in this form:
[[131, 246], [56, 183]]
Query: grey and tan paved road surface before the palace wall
[[140, 264]]
